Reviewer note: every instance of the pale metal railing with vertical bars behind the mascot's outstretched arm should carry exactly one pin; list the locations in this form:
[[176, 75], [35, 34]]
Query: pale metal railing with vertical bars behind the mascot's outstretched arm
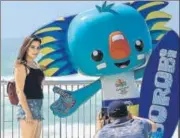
[[79, 125]]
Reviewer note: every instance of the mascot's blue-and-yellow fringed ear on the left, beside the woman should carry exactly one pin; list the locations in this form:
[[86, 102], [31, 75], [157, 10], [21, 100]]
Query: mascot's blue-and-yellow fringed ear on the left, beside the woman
[[55, 58]]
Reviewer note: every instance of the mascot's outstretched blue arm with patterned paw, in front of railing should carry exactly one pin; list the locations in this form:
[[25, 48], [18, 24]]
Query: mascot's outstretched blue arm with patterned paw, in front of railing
[[69, 102]]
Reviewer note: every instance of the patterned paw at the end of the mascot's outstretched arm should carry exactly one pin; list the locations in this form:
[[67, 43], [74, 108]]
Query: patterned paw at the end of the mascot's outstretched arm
[[64, 104]]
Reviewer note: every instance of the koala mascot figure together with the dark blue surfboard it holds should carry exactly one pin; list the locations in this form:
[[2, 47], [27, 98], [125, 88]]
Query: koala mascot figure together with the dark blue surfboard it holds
[[119, 44]]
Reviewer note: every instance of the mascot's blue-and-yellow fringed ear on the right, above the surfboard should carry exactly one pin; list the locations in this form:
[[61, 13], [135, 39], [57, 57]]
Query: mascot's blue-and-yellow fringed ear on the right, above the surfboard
[[155, 19]]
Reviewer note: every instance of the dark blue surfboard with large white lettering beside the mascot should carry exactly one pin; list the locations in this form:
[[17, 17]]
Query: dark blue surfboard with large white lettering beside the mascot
[[160, 87]]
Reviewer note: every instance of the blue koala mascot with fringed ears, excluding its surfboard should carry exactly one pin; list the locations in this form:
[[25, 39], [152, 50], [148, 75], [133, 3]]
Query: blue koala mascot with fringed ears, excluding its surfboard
[[112, 42]]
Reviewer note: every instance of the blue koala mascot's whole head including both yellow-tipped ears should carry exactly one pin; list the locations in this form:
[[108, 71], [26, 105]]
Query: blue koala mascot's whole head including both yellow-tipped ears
[[105, 40]]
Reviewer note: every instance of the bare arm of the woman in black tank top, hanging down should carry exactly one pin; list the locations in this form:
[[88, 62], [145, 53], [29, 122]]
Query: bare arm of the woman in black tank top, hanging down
[[20, 76]]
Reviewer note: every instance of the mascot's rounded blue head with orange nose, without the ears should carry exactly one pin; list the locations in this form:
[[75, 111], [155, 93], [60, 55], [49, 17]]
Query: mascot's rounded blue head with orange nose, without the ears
[[108, 40]]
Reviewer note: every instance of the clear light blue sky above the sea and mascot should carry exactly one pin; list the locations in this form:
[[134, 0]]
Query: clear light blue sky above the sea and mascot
[[21, 18]]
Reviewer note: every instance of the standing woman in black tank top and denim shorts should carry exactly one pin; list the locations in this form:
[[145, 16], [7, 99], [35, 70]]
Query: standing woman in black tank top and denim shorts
[[28, 79]]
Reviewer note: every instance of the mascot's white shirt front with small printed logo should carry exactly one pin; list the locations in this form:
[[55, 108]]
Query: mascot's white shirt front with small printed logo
[[119, 86]]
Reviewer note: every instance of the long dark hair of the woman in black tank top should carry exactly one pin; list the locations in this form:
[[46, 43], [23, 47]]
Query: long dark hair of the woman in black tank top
[[23, 50]]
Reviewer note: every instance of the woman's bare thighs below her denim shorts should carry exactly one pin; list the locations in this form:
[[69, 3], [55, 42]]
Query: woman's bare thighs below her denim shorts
[[28, 130]]
